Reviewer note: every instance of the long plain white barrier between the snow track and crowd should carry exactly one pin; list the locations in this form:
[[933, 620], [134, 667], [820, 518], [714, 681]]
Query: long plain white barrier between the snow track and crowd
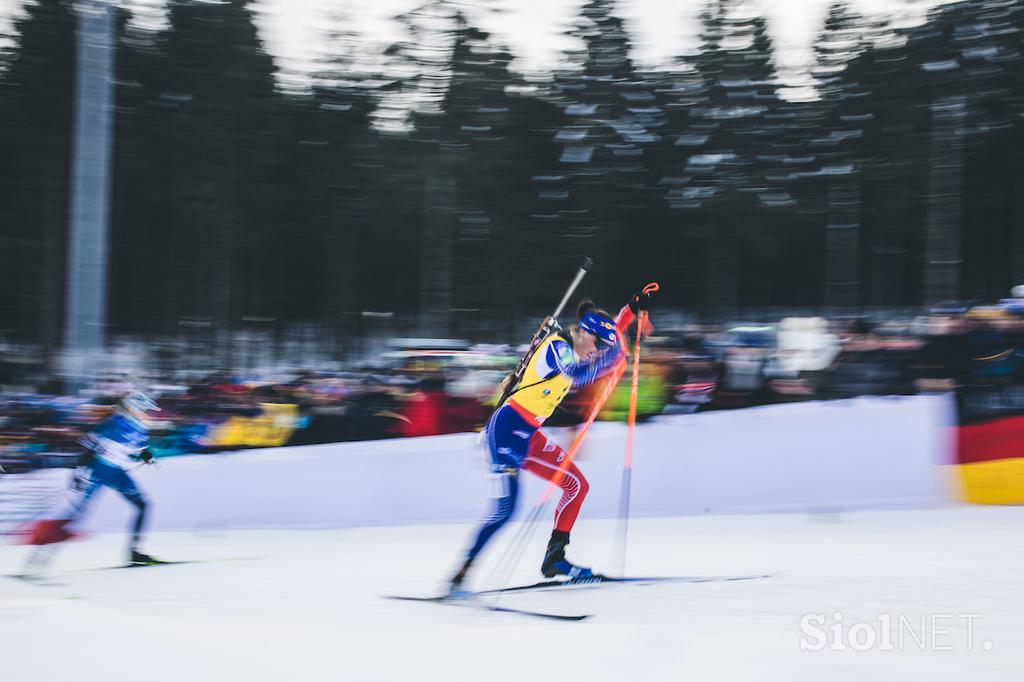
[[860, 454]]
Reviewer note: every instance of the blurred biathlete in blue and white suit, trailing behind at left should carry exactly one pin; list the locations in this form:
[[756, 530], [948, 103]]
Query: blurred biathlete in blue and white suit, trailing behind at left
[[118, 445]]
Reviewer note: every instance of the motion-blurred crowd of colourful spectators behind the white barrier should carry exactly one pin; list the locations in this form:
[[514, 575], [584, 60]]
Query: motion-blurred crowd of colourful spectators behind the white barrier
[[426, 390]]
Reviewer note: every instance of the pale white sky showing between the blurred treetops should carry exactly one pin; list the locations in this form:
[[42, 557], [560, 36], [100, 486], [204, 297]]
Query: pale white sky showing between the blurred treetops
[[293, 31]]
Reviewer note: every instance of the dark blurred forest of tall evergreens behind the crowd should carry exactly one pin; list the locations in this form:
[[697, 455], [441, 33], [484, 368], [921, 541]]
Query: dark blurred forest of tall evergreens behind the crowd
[[447, 188]]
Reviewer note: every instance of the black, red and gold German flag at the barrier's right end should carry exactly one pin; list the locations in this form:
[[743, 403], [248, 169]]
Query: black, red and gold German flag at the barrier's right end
[[991, 445]]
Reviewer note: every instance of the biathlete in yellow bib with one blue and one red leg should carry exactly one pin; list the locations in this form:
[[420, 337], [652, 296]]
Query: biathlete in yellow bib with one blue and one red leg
[[561, 362]]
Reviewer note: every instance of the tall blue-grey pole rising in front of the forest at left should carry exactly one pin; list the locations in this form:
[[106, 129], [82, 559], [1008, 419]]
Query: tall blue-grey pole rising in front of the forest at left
[[86, 313]]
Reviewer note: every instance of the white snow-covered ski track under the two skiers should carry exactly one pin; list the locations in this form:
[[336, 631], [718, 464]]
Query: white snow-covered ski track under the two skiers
[[307, 605]]
